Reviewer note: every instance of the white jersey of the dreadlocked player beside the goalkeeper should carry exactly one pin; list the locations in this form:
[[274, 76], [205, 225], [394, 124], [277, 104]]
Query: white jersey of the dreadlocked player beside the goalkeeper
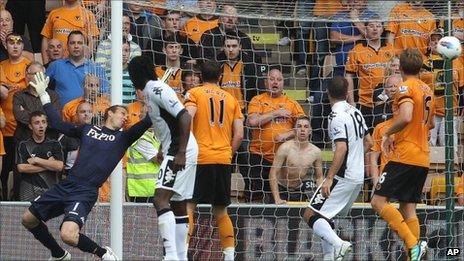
[[164, 108]]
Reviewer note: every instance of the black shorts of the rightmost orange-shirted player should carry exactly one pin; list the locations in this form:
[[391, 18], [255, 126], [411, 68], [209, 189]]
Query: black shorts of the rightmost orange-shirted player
[[402, 181]]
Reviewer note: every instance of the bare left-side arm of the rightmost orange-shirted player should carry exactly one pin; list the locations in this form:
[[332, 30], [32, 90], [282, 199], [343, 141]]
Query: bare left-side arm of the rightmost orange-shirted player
[[405, 111]]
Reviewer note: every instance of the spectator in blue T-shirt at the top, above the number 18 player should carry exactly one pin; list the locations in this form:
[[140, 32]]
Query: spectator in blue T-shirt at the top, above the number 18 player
[[346, 34]]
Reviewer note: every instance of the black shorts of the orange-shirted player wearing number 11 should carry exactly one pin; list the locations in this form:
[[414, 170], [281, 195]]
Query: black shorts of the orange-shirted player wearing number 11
[[212, 184]]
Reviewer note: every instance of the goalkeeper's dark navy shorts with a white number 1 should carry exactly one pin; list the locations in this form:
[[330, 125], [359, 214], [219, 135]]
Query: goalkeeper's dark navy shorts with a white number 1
[[73, 200]]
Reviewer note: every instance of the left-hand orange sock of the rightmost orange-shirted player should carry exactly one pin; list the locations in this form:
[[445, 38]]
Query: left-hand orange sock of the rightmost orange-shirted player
[[396, 222]]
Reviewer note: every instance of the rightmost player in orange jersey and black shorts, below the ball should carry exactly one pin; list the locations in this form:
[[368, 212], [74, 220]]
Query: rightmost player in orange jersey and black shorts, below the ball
[[406, 144]]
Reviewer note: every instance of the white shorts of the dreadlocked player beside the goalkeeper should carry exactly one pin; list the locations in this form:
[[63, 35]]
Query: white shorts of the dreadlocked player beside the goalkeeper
[[182, 182]]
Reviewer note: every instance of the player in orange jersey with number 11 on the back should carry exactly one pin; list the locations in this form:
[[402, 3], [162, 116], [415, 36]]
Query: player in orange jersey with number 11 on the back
[[217, 109]]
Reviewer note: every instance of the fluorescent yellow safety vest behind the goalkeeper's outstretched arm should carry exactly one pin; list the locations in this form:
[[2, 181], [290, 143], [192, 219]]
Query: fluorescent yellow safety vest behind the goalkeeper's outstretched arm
[[141, 173]]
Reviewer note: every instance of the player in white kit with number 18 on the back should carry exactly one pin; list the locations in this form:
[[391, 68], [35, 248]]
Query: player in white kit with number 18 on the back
[[345, 177]]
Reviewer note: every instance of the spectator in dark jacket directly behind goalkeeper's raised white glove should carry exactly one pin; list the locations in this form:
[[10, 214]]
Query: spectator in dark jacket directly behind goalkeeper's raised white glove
[[27, 101]]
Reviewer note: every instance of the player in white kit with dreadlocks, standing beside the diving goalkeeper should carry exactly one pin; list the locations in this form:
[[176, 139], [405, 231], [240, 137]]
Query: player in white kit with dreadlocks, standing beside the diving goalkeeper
[[176, 180]]
